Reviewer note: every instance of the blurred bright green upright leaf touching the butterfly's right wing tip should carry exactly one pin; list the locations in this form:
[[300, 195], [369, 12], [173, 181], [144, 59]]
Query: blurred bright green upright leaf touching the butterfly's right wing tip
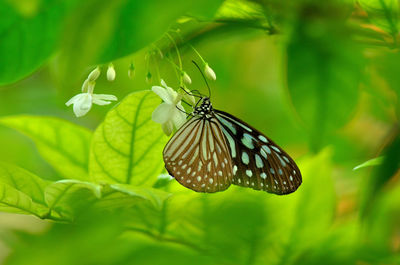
[[315, 206]]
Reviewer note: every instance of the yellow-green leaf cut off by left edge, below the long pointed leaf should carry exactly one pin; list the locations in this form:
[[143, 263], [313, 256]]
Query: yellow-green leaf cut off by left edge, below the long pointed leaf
[[21, 191]]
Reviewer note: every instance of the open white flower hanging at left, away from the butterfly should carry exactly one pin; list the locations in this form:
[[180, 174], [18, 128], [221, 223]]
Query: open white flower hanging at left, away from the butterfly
[[83, 102]]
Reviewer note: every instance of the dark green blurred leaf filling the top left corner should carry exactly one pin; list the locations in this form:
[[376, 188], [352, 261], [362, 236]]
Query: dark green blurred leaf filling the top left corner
[[27, 41]]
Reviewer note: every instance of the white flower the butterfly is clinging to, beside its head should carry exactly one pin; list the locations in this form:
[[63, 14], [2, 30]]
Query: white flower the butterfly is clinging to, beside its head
[[167, 113]]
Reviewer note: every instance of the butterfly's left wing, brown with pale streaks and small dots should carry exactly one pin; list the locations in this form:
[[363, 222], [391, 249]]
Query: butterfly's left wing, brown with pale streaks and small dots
[[197, 156]]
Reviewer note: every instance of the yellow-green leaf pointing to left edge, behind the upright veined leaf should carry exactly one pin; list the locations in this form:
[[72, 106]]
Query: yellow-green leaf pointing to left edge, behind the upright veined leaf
[[64, 145]]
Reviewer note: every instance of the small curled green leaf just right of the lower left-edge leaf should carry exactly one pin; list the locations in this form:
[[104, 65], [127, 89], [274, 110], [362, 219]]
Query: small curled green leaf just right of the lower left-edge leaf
[[67, 197]]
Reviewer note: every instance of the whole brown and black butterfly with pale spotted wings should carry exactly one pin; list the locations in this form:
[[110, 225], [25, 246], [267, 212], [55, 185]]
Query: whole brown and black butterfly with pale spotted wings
[[214, 149]]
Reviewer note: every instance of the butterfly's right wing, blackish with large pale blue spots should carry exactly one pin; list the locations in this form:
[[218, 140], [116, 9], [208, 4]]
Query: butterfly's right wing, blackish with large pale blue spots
[[258, 162]]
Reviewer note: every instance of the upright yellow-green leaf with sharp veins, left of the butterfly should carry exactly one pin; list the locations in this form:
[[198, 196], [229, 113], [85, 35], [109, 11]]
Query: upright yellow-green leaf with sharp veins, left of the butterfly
[[127, 146]]
